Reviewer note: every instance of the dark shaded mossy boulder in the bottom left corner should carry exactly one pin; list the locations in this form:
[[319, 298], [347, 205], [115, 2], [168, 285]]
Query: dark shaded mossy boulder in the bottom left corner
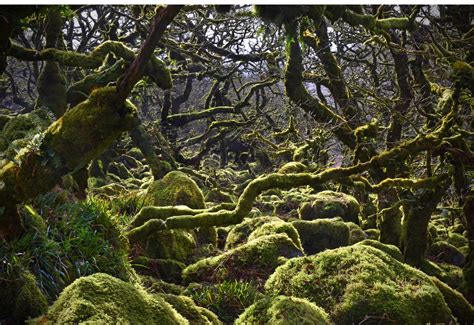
[[21, 298]]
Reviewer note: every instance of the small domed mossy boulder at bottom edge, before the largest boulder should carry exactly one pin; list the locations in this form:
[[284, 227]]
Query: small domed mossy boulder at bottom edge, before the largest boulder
[[281, 310]]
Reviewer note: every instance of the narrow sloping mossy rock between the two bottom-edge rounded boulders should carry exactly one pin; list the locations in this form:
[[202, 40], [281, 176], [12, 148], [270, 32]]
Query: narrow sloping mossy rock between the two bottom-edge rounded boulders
[[186, 307]]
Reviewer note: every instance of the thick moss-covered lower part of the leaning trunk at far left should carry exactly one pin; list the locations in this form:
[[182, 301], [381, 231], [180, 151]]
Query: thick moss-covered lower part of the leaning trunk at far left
[[73, 140]]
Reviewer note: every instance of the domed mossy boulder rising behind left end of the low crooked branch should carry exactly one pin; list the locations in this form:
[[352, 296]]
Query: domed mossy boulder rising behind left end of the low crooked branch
[[176, 188]]
